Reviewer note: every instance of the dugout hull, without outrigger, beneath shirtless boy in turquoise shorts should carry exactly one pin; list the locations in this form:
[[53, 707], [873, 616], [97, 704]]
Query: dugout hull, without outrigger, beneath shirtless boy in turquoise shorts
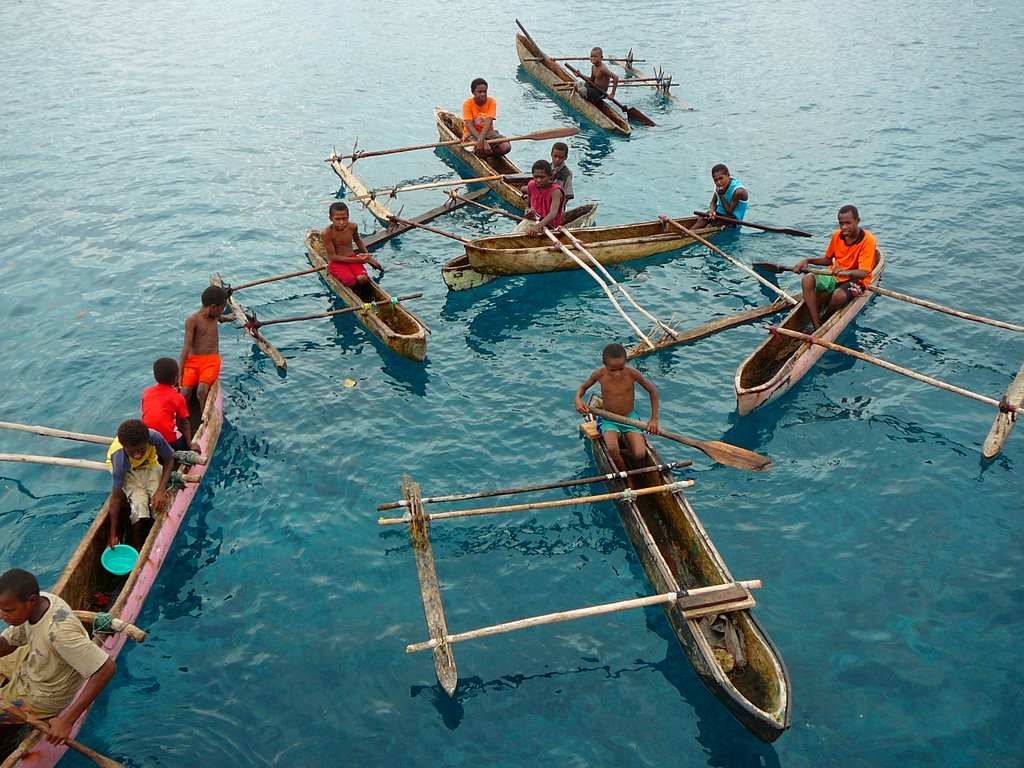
[[731, 652]]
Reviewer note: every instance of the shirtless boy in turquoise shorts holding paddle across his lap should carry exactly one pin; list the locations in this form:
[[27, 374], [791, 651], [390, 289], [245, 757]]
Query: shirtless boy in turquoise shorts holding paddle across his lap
[[618, 393]]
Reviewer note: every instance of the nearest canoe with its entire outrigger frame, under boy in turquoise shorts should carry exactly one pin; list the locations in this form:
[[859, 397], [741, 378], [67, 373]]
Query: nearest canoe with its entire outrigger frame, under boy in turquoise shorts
[[709, 611]]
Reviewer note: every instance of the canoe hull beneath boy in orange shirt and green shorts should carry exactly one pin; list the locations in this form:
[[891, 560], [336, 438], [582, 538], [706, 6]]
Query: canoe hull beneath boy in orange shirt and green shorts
[[781, 362]]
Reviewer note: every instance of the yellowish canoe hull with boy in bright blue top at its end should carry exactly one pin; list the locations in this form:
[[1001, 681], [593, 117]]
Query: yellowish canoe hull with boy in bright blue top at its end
[[525, 254]]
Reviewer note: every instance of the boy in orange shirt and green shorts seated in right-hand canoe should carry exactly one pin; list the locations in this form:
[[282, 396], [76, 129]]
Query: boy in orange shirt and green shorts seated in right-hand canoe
[[852, 250]]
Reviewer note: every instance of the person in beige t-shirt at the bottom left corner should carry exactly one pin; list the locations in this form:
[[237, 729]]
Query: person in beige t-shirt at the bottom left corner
[[46, 656]]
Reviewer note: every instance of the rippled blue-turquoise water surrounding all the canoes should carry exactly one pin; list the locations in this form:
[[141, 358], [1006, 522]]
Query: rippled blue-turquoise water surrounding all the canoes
[[147, 148]]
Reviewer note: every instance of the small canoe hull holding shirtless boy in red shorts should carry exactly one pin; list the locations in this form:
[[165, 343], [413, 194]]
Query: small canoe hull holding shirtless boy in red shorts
[[401, 331]]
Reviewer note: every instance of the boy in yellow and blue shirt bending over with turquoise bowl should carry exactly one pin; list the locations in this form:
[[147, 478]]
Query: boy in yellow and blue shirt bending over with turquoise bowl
[[141, 463]]
